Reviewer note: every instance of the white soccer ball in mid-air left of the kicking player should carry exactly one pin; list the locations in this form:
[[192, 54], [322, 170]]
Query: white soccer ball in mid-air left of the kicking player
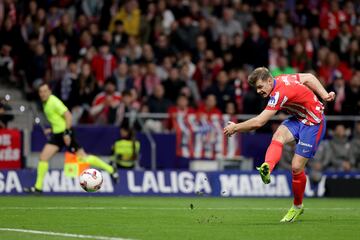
[[91, 180]]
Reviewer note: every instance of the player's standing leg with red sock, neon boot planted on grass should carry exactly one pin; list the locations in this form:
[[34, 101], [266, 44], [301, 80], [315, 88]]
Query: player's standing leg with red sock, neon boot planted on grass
[[298, 187]]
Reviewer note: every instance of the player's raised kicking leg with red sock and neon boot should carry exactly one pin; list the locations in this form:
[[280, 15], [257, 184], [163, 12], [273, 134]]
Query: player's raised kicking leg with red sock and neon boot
[[273, 154]]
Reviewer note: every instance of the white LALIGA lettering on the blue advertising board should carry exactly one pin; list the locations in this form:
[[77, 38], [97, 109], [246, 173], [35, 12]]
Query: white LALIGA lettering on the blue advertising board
[[173, 182]]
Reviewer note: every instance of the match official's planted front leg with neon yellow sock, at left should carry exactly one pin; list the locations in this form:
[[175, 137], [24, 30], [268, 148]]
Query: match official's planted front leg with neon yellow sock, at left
[[46, 154]]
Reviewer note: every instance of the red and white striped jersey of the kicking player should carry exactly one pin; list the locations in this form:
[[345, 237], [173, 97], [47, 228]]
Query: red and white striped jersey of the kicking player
[[295, 98]]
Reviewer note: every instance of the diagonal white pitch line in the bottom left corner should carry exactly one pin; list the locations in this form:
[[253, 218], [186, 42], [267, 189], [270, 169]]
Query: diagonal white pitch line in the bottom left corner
[[70, 235]]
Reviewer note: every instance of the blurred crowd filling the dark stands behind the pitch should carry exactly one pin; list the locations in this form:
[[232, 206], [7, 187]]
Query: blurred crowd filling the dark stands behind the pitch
[[107, 57]]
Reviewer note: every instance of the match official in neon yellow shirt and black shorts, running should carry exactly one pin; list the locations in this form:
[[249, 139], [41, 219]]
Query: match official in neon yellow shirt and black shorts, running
[[60, 119]]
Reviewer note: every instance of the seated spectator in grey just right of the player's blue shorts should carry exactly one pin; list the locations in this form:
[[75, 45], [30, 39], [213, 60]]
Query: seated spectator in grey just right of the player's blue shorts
[[334, 154]]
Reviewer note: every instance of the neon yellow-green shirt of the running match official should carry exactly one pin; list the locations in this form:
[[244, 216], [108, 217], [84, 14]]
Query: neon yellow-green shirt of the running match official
[[54, 110]]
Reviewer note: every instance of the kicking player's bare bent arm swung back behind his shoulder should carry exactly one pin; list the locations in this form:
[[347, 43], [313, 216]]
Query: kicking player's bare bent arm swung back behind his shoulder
[[314, 84]]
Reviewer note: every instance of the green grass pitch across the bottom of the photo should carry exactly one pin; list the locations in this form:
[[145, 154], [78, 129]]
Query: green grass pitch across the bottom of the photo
[[175, 218]]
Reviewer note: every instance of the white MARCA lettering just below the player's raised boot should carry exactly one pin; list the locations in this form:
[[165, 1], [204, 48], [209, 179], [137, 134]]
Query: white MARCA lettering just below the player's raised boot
[[251, 185]]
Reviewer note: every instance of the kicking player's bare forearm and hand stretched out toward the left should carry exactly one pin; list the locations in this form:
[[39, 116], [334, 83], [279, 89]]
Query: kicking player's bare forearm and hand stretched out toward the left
[[251, 124]]
